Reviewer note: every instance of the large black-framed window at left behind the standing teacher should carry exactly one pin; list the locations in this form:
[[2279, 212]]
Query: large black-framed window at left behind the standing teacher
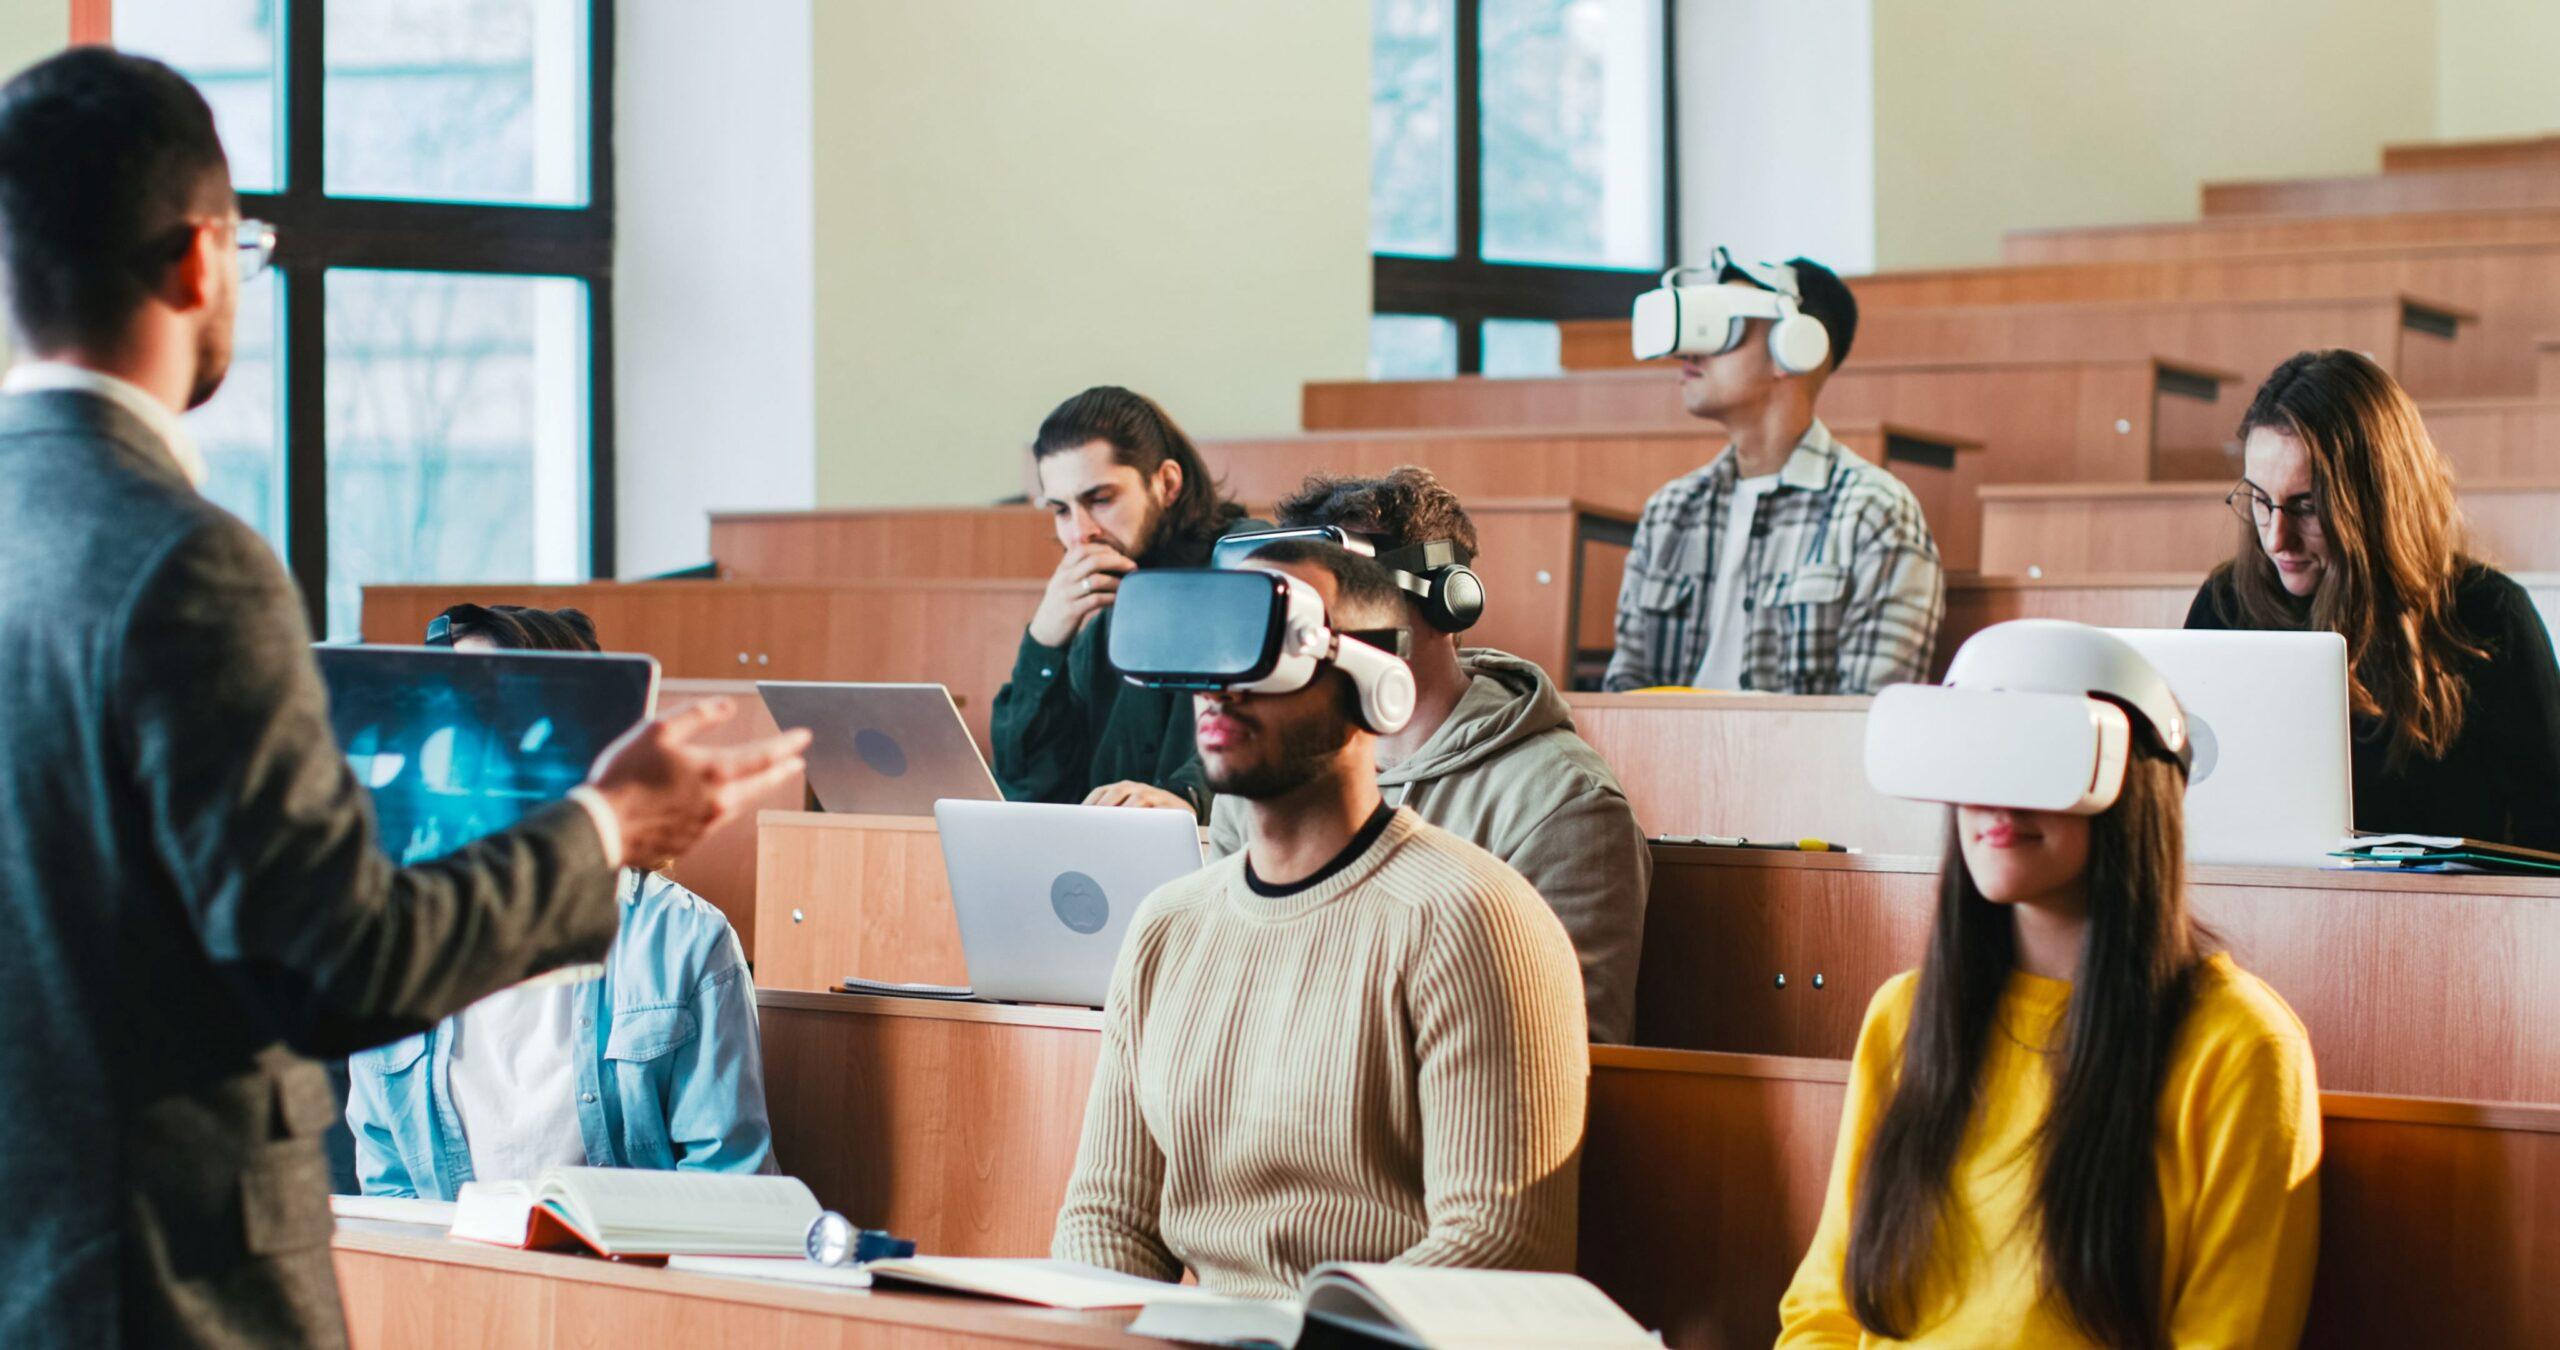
[[421, 388]]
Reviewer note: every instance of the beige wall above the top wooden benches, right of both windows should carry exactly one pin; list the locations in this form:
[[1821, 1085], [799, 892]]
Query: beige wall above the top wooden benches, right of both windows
[[2003, 114]]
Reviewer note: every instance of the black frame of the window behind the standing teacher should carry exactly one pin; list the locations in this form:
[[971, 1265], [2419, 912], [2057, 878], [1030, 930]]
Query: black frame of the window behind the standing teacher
[[319, 232]]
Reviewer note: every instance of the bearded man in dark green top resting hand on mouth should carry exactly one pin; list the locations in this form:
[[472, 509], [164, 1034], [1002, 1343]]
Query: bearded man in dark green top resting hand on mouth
[[1128, 491]]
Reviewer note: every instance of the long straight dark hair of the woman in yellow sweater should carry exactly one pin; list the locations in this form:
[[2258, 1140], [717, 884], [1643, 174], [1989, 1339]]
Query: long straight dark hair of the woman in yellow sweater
[[2098, 1192]]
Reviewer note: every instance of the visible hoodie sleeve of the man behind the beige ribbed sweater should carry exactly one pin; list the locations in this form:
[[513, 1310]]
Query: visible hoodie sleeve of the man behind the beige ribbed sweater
[[1594, 867]]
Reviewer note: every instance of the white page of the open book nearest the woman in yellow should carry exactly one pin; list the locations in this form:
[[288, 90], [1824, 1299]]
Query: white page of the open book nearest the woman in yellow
[[1478, 1308]]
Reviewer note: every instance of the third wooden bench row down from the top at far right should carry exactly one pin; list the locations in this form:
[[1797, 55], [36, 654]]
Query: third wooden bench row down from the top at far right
[[2277, 234]]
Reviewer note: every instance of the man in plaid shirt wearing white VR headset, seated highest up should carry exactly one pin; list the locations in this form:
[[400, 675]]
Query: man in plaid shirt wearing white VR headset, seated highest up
[[1788, 565]]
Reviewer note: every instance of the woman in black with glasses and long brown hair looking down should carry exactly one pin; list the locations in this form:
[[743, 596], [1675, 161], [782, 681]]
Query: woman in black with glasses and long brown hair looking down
[[2351, 526]]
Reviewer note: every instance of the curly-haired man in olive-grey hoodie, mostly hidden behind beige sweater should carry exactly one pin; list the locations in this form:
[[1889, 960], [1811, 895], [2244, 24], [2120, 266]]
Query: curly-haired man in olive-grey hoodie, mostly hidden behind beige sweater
[[1491, 752]]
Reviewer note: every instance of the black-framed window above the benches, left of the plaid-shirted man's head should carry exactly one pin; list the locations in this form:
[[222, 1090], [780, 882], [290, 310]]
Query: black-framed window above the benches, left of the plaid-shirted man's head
[[1519, 175]]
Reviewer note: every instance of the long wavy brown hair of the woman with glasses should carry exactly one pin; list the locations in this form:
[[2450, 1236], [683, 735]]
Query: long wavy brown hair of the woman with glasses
[[2395, 547]]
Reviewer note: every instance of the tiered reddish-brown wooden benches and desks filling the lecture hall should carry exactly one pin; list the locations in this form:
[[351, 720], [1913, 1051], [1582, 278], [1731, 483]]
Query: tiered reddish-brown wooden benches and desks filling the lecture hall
[[2080, 411]]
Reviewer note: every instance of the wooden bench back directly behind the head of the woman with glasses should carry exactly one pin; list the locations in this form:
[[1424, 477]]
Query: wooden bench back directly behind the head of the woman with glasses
[[2108, 529]]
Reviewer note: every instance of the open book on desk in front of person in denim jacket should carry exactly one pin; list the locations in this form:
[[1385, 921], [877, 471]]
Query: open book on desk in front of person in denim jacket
[[626, 1213]]
